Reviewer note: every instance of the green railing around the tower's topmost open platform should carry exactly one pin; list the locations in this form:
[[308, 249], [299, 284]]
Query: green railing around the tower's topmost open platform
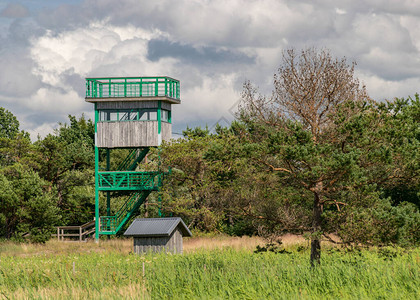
[[122, 87]]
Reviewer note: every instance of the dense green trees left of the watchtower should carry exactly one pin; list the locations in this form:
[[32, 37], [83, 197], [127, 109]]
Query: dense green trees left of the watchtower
[[46, 183]]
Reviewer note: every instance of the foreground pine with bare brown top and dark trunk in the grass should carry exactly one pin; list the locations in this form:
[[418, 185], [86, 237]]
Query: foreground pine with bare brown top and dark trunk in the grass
[[321, 133]]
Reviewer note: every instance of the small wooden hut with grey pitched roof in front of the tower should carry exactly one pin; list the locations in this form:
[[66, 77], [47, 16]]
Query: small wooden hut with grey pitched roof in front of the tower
[[157, 234]]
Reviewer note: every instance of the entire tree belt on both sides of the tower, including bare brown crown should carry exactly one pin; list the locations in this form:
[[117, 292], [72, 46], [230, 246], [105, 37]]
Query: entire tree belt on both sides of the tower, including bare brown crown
[[318, 157]]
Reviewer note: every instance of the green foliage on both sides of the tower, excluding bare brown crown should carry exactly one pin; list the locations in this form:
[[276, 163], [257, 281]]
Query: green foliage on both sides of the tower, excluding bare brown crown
[[224, 181]]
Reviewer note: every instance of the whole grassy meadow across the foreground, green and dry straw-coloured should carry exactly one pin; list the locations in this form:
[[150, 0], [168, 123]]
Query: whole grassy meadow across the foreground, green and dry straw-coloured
[[211, 268]]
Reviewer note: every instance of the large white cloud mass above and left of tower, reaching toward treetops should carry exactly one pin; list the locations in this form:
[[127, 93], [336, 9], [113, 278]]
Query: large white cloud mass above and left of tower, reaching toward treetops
[[98, 50]]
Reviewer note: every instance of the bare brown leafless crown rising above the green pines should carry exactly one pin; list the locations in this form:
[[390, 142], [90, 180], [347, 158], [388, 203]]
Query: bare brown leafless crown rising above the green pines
[[310, 87]]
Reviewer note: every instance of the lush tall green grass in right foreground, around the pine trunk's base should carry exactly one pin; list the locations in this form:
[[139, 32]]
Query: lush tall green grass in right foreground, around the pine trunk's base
[[233, 274]]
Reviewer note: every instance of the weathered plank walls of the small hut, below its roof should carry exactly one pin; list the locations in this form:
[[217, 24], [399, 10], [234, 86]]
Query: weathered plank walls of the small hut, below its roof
[[171, 244]]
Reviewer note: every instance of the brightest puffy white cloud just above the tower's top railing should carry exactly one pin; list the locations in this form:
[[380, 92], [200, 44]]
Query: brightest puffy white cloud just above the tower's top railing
[[85, 49]]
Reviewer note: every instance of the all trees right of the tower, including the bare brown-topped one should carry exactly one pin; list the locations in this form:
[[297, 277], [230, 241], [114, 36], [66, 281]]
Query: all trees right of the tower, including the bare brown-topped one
[[316, 157]]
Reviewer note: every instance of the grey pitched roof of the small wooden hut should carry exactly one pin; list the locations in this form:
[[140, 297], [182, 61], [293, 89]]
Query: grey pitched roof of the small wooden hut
[[151, 227]]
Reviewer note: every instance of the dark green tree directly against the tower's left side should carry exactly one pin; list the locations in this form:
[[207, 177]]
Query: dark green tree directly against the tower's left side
[[66, 160]]
